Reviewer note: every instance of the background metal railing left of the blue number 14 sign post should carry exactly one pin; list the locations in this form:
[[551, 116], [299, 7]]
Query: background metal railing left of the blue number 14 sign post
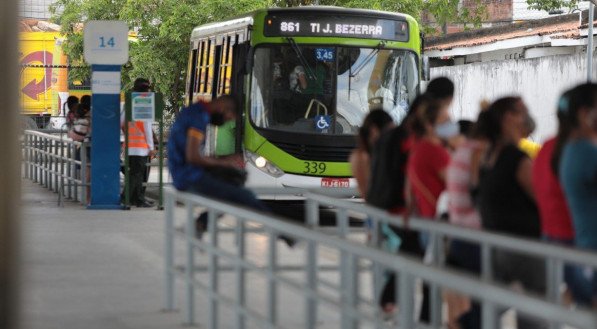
[[57, 163]]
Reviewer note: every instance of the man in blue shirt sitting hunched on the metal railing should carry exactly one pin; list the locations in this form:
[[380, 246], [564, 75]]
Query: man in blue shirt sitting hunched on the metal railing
[[215, 177]]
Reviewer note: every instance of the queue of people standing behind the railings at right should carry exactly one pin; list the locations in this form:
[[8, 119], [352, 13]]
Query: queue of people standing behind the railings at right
[[493, 179]]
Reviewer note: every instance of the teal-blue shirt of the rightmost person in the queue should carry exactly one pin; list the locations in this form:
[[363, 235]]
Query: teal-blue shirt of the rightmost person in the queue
[[578, 176]]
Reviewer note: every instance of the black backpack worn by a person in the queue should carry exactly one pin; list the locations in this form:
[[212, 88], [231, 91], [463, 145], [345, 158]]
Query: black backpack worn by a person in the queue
[[388, 169]]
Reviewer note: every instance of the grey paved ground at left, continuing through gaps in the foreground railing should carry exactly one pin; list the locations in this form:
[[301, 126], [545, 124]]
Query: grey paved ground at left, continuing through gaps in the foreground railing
[[92, 269]]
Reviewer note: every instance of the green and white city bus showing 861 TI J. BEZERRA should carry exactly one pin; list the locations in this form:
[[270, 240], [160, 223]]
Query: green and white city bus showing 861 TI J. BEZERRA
[[306, 78]]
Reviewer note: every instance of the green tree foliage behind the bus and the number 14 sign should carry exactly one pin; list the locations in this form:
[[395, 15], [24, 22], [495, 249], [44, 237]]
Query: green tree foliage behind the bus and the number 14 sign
[[160, 52]]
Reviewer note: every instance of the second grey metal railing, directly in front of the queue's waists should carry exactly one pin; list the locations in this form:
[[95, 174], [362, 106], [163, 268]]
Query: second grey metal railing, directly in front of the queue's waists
[[555, 256]]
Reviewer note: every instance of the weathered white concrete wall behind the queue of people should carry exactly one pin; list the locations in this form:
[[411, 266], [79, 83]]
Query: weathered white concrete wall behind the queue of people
[[540, 81]]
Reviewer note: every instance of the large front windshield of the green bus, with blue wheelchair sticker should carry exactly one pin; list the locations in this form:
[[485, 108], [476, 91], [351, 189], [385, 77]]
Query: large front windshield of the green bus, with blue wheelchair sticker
[[329, 90]]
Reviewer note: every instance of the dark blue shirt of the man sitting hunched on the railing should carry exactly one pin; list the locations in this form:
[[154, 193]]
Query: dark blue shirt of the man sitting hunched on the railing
[[184, 174]]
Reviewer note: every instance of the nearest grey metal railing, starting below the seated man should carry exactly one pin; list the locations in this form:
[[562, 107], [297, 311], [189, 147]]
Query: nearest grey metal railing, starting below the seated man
[[353, 305]]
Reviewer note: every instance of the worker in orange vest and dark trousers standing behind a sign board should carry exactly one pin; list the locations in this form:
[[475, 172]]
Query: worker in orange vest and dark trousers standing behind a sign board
[[141, 150]]
